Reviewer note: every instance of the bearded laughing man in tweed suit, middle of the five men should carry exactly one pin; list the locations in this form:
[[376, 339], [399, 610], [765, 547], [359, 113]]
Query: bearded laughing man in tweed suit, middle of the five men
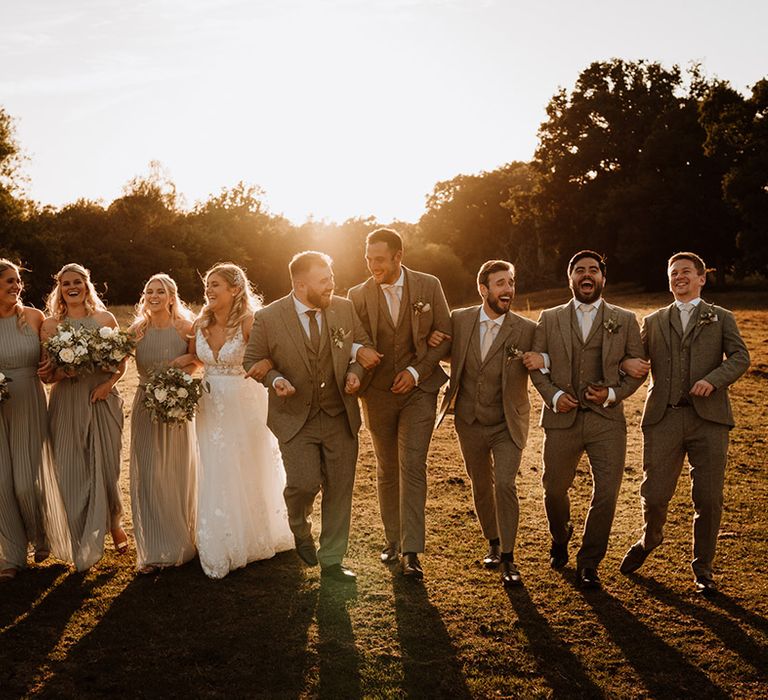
[[489, 396]]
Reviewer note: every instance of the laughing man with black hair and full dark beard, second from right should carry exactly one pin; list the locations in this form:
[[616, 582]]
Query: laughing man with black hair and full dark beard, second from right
[[583, 343]]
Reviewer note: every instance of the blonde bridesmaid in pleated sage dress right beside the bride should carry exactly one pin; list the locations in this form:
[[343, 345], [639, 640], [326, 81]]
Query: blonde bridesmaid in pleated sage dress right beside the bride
[[163, 457]]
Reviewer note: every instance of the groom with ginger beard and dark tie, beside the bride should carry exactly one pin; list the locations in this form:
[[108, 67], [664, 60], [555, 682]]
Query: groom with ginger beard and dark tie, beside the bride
[[308, 336]]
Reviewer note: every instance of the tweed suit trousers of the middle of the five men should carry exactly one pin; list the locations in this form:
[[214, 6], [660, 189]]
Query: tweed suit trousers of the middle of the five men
[[492, 460]]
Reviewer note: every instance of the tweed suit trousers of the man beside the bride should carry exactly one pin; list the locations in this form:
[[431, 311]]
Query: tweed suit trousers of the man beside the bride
[[321, 457]]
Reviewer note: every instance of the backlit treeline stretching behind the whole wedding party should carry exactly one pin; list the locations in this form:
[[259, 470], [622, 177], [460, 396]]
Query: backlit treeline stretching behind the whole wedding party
[[636, 161]]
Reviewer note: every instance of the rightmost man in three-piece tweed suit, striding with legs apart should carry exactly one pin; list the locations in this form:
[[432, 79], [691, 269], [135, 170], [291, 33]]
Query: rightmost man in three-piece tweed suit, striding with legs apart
[[696, 353]]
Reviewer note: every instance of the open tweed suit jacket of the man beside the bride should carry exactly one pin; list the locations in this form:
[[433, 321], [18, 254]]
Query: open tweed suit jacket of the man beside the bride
[[277, 334]]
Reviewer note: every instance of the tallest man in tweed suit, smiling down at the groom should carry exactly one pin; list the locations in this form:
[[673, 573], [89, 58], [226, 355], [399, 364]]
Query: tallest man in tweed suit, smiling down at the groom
[[399, 309]]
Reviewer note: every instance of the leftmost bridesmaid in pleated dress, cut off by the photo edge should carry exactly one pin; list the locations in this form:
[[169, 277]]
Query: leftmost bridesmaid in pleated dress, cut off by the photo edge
[[24, 446]]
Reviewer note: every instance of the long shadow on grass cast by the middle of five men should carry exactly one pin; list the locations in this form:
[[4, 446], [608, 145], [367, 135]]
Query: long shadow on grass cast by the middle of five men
[[555, 661]]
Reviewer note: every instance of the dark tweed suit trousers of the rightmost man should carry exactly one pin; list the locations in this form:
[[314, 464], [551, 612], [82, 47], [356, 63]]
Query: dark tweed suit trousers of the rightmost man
[[679, 433]]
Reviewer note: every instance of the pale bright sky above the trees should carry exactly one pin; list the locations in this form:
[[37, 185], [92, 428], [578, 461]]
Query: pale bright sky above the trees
[[336, 108]]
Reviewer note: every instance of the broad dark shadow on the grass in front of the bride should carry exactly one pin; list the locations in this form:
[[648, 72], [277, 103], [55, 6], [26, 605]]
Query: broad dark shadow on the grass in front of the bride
[[180, 634]]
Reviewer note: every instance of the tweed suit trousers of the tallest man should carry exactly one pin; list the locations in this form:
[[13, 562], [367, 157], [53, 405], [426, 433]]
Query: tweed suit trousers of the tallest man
[[401, 428]]
